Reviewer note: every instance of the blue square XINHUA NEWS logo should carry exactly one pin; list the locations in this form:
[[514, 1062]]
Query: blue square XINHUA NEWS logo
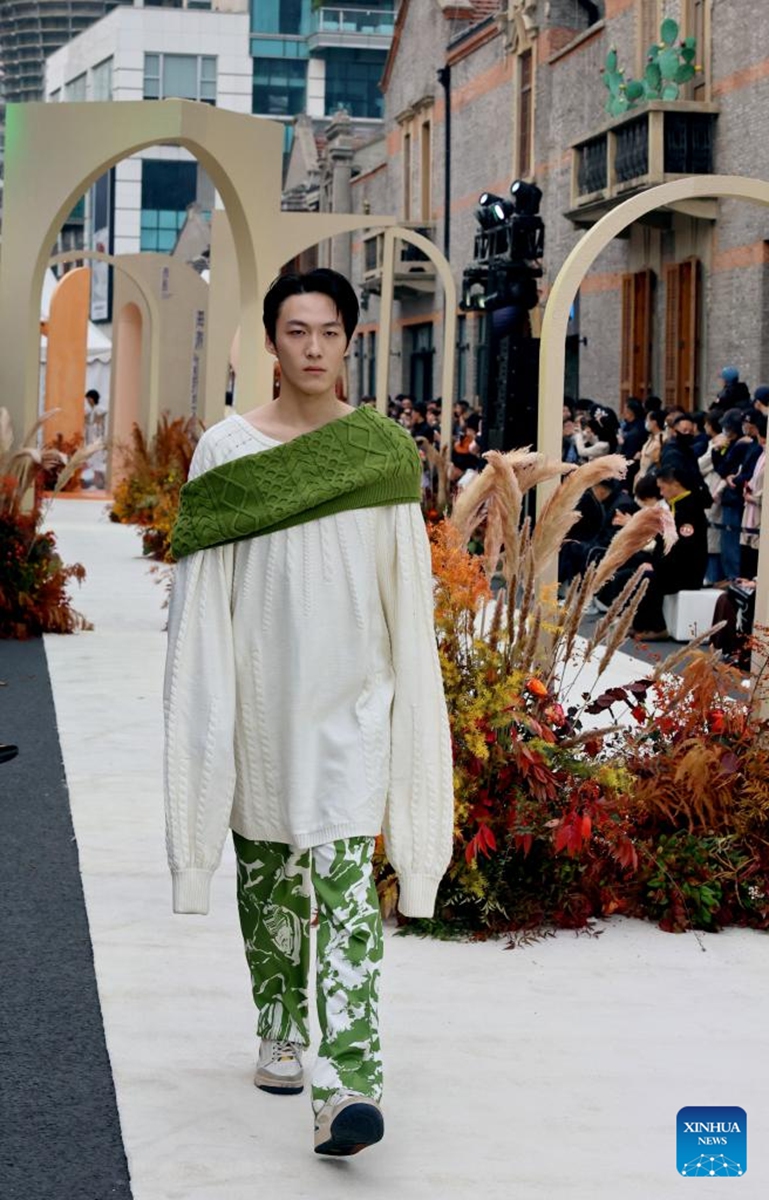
[[712, 1142]]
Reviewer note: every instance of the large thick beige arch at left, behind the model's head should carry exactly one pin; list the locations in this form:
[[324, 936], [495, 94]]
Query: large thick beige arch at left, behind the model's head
[[55, 153]]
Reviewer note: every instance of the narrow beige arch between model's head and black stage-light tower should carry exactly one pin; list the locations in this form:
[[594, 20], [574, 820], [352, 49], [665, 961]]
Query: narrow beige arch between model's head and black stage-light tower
[[386, 321]]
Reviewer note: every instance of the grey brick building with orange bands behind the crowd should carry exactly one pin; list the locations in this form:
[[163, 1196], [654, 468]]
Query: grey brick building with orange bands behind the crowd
[[665, 308]]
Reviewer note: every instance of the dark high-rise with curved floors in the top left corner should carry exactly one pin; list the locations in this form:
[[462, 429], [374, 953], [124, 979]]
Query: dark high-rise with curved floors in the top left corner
[[31, 31]]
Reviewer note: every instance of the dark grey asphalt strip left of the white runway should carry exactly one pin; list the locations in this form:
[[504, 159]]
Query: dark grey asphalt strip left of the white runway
[[59, 1127]]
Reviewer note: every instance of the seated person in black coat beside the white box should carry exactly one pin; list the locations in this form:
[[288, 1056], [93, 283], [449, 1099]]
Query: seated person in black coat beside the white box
[[684, 567]]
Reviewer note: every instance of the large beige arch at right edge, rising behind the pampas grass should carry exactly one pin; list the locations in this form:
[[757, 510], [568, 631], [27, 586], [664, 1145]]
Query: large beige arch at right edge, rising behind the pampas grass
[[564, 291]]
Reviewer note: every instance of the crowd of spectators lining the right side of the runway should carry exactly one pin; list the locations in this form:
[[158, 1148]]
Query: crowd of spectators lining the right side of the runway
[[707, 467]]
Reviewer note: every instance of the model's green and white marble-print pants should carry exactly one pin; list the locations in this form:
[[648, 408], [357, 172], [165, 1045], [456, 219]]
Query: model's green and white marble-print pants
[[274, 904]]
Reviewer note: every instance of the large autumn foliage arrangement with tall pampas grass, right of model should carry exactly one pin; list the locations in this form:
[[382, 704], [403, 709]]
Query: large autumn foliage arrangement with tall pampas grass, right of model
[[578, 802]]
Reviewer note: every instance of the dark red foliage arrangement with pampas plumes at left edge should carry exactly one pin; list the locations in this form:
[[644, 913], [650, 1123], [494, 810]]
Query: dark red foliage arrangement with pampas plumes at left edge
[[33, 578]]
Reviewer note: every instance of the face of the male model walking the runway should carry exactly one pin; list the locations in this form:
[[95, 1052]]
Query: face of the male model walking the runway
[[310, 343]]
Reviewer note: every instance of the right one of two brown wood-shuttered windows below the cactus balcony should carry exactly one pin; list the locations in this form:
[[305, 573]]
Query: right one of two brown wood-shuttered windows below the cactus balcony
[[682, 329]]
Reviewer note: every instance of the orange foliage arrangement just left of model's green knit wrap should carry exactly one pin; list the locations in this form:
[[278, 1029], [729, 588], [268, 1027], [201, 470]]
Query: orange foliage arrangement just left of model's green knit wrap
[[148, 496]]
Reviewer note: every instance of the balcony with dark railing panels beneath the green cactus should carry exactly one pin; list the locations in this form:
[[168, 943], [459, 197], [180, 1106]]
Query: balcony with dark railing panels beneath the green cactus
[[650, 146]]
